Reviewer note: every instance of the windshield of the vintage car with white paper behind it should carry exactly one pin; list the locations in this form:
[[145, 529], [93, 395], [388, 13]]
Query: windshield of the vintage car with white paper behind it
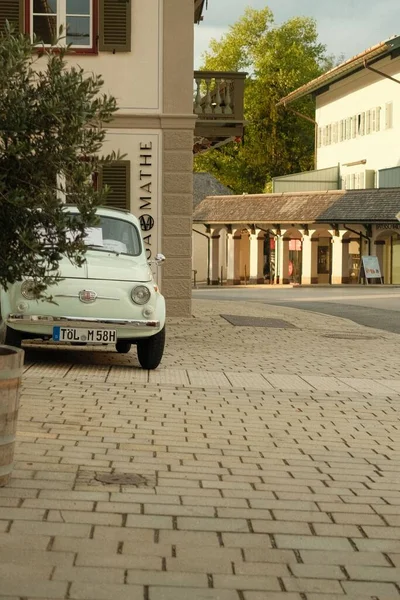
[[114, 235]]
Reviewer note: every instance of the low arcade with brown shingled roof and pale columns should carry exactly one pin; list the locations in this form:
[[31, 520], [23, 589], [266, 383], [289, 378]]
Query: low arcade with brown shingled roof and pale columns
[[301, 237]]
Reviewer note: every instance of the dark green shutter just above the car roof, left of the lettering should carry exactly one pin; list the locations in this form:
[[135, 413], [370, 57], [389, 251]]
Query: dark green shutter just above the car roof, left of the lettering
[[117, 176]]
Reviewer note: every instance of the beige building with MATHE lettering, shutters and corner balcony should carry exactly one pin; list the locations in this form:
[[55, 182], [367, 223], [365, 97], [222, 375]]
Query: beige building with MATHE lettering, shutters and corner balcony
[[144, 51]]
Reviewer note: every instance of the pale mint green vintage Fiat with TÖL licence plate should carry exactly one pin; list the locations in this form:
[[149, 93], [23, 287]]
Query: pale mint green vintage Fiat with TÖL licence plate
[[112, 299]]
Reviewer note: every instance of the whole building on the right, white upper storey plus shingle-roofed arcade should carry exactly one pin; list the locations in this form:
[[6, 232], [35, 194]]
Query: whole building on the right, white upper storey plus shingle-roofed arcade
[[321, 223]]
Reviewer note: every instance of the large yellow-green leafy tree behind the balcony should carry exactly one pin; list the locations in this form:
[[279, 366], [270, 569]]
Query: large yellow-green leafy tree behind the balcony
[[278, 60]]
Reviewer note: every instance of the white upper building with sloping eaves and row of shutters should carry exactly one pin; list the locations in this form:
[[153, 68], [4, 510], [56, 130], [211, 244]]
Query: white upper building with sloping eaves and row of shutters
[[358, 116]]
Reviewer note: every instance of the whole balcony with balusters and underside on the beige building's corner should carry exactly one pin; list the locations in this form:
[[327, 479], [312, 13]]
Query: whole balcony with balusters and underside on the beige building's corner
[[219, 106]]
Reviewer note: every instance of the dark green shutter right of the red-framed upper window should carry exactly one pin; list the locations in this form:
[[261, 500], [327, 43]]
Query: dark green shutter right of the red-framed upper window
[[115, 25]]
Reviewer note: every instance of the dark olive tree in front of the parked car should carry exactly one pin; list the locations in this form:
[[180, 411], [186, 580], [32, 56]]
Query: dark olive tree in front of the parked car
[[51, 133]]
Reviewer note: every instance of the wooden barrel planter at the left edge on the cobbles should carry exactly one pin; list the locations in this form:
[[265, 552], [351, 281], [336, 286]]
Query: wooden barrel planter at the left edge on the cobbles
[[11, 363]]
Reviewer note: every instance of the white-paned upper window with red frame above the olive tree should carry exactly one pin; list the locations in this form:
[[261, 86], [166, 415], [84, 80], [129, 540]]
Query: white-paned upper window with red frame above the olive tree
[[75, 16]]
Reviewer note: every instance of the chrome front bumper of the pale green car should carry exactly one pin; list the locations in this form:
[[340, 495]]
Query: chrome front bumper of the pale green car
[[68, 321]]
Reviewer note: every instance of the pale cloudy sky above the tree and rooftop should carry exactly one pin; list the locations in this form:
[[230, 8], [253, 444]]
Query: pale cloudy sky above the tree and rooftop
[[346, 27]]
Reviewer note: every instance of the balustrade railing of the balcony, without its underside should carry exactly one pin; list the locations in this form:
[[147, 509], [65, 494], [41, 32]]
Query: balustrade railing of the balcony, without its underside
[[219, 96]]
